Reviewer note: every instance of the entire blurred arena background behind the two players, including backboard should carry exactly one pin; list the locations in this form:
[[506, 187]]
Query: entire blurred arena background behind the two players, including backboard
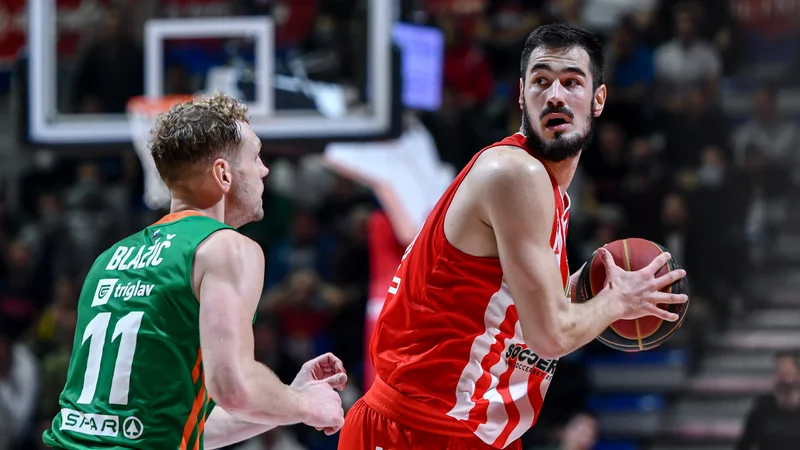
[[367, 109]]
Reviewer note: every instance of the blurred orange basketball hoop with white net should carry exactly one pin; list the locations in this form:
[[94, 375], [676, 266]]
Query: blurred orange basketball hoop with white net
[[143, 113]]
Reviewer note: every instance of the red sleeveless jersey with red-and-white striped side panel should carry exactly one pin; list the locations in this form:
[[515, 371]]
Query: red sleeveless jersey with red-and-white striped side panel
[[449, 337]]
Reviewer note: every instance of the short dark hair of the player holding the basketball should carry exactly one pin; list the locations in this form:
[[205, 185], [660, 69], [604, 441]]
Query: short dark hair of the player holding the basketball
[[561, 36]]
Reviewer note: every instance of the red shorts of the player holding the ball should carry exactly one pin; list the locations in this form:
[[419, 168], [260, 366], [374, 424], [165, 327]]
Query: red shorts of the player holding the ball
[[387, 420]]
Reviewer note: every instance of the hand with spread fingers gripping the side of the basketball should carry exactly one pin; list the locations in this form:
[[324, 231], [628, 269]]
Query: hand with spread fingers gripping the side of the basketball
[[640, 291]]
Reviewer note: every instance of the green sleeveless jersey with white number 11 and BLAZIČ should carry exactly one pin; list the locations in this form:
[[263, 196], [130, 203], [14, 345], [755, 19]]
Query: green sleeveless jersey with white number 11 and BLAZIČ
[[135, 377]]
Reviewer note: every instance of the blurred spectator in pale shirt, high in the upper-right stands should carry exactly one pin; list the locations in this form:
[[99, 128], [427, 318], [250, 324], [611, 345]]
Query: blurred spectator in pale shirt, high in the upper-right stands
[[686, 62]]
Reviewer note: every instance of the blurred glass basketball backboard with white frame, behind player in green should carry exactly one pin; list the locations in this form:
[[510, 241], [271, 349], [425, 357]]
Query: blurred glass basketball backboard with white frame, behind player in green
[[306, 68]]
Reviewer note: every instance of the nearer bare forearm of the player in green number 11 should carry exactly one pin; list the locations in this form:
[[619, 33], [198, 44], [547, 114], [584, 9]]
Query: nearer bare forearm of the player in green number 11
[[264, 399]]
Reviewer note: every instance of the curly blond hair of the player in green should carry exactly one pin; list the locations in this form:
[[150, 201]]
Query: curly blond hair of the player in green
[[196, 131]]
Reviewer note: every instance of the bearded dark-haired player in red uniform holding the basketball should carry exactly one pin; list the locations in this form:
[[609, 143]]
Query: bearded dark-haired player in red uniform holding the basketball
[[478, 313]]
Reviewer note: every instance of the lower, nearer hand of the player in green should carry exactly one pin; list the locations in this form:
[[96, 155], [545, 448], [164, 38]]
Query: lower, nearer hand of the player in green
[[325, 410]]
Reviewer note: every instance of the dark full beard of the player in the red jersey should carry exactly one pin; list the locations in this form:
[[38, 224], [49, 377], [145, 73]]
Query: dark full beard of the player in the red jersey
[[561, 147]]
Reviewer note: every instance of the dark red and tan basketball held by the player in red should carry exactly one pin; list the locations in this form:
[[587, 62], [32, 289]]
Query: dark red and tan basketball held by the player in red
[[644, 333]]
